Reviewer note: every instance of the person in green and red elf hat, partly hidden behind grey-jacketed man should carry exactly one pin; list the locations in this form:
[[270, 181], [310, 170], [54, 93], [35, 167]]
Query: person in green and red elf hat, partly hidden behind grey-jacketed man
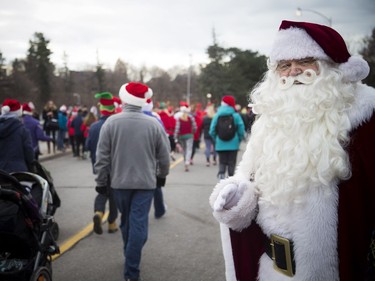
[[106, 108]]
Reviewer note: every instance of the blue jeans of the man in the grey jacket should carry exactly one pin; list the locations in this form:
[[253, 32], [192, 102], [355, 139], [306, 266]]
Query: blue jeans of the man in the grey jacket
[[134, 206]]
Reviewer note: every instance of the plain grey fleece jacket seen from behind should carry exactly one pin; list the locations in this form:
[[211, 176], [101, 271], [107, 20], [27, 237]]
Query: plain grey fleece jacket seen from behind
[[132, 148]]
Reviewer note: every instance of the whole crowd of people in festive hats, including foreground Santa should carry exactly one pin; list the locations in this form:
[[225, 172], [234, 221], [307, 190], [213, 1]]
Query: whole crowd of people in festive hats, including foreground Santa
[[299, 198]]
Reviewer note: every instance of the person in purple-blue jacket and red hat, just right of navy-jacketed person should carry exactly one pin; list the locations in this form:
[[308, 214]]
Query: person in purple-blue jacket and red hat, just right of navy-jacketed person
[[35, 129]]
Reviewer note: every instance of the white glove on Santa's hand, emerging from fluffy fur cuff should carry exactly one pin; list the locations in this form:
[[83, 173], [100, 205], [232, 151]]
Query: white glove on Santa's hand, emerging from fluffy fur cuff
[[229, 196]]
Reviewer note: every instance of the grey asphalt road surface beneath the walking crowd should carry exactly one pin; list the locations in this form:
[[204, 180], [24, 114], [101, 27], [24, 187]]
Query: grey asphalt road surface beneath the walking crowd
[[182, 246]]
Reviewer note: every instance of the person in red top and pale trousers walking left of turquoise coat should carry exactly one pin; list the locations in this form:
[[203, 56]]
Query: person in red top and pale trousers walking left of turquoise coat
[[184, 132]]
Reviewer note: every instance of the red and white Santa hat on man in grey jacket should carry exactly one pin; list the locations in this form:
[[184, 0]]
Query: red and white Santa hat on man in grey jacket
[[135, 93]]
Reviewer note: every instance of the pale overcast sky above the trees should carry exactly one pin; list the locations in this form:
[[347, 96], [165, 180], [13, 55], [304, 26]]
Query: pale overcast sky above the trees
[[165, 33]]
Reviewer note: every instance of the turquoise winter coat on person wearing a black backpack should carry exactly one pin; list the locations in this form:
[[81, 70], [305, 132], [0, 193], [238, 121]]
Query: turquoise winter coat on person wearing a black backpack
[[233, 144]]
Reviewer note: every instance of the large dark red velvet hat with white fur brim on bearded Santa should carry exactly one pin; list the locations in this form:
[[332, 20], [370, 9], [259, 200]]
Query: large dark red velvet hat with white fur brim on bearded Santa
[[298, 40]]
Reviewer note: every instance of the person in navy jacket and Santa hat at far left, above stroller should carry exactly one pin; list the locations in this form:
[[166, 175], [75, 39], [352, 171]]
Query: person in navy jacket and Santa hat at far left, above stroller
[[16, 150]]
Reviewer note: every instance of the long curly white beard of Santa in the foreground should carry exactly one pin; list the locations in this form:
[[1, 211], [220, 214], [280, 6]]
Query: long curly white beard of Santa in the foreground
[[297, 142]]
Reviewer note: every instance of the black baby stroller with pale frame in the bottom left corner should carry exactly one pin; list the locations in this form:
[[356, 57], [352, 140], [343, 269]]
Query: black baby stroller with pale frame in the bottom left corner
[[26, 240]]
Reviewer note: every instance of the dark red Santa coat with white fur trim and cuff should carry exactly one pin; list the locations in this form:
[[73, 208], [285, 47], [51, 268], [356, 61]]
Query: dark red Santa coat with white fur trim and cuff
[[330, 233]]
